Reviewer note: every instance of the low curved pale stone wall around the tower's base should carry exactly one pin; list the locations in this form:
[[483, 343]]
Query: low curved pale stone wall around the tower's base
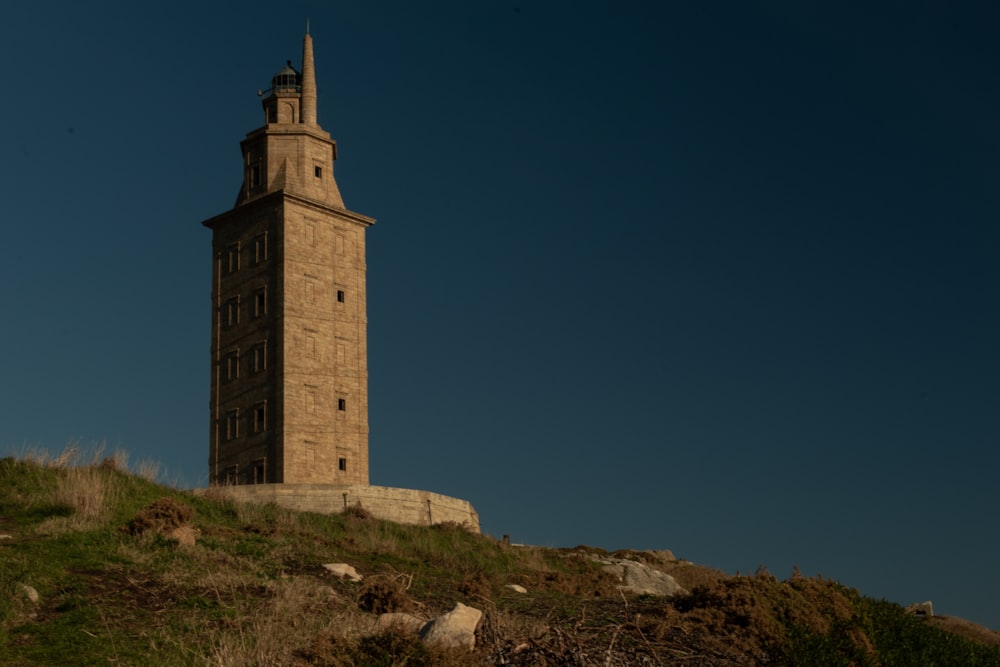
[[384, 502]]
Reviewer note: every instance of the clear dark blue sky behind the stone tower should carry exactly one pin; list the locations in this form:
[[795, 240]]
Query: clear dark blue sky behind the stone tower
[[717, 277]]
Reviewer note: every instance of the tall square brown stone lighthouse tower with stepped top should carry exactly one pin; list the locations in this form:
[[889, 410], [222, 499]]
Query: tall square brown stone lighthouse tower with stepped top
[[289, 388]]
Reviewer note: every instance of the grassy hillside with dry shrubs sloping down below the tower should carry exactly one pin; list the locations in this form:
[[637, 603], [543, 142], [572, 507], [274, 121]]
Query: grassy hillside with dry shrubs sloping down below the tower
[[90, 576]]
